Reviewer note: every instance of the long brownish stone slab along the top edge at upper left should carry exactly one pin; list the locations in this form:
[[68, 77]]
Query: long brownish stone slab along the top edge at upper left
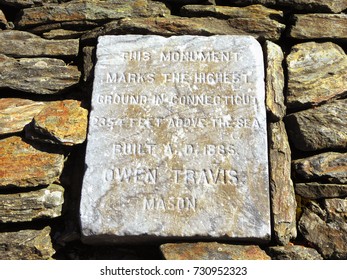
[[90, 10]]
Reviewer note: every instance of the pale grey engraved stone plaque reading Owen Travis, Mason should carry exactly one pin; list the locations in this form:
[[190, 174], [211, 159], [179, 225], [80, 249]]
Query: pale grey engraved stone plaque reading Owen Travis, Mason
[[177, 143]]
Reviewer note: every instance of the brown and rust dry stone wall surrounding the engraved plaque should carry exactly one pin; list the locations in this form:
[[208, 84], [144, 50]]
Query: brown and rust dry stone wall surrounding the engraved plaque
[[47, 56]]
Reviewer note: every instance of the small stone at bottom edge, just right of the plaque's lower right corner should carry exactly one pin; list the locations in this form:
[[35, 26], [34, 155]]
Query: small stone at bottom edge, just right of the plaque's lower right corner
[[293, 252]]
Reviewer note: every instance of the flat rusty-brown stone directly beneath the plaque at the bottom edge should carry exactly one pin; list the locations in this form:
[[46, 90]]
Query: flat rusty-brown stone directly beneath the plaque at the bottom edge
[[212, 251]]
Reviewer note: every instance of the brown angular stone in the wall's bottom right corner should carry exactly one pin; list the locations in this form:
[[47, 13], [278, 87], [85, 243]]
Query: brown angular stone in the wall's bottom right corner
[[329, 237]]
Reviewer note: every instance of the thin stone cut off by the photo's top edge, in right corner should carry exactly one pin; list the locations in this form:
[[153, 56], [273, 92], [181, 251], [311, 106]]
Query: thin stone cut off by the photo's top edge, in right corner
[[335, 6]]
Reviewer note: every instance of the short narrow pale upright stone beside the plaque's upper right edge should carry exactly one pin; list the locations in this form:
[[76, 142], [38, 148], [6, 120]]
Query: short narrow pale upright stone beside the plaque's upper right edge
[[274, 81]]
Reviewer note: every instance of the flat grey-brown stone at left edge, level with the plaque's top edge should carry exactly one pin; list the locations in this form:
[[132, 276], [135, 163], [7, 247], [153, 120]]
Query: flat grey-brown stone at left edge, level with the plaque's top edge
[[24, 44]]
